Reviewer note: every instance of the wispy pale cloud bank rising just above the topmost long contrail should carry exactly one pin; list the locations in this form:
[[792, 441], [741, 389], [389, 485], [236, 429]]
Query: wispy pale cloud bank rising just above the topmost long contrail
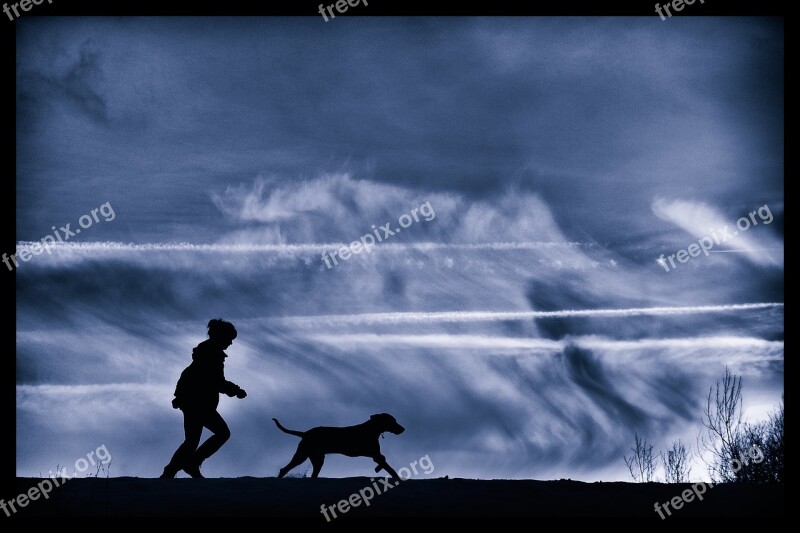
[[339, 208]]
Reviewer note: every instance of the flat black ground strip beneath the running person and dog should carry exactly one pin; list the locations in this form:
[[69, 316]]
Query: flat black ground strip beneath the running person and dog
[[449, 497]]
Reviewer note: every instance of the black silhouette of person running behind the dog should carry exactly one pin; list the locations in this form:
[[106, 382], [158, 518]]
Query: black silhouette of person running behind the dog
[[197, 395]]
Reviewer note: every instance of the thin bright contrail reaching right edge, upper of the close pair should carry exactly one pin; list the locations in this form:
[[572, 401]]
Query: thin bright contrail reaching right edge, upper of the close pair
[[491, 316]]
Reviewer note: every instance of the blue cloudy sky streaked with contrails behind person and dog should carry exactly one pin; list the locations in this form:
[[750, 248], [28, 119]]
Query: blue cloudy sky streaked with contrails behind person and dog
[[524, 313]]
